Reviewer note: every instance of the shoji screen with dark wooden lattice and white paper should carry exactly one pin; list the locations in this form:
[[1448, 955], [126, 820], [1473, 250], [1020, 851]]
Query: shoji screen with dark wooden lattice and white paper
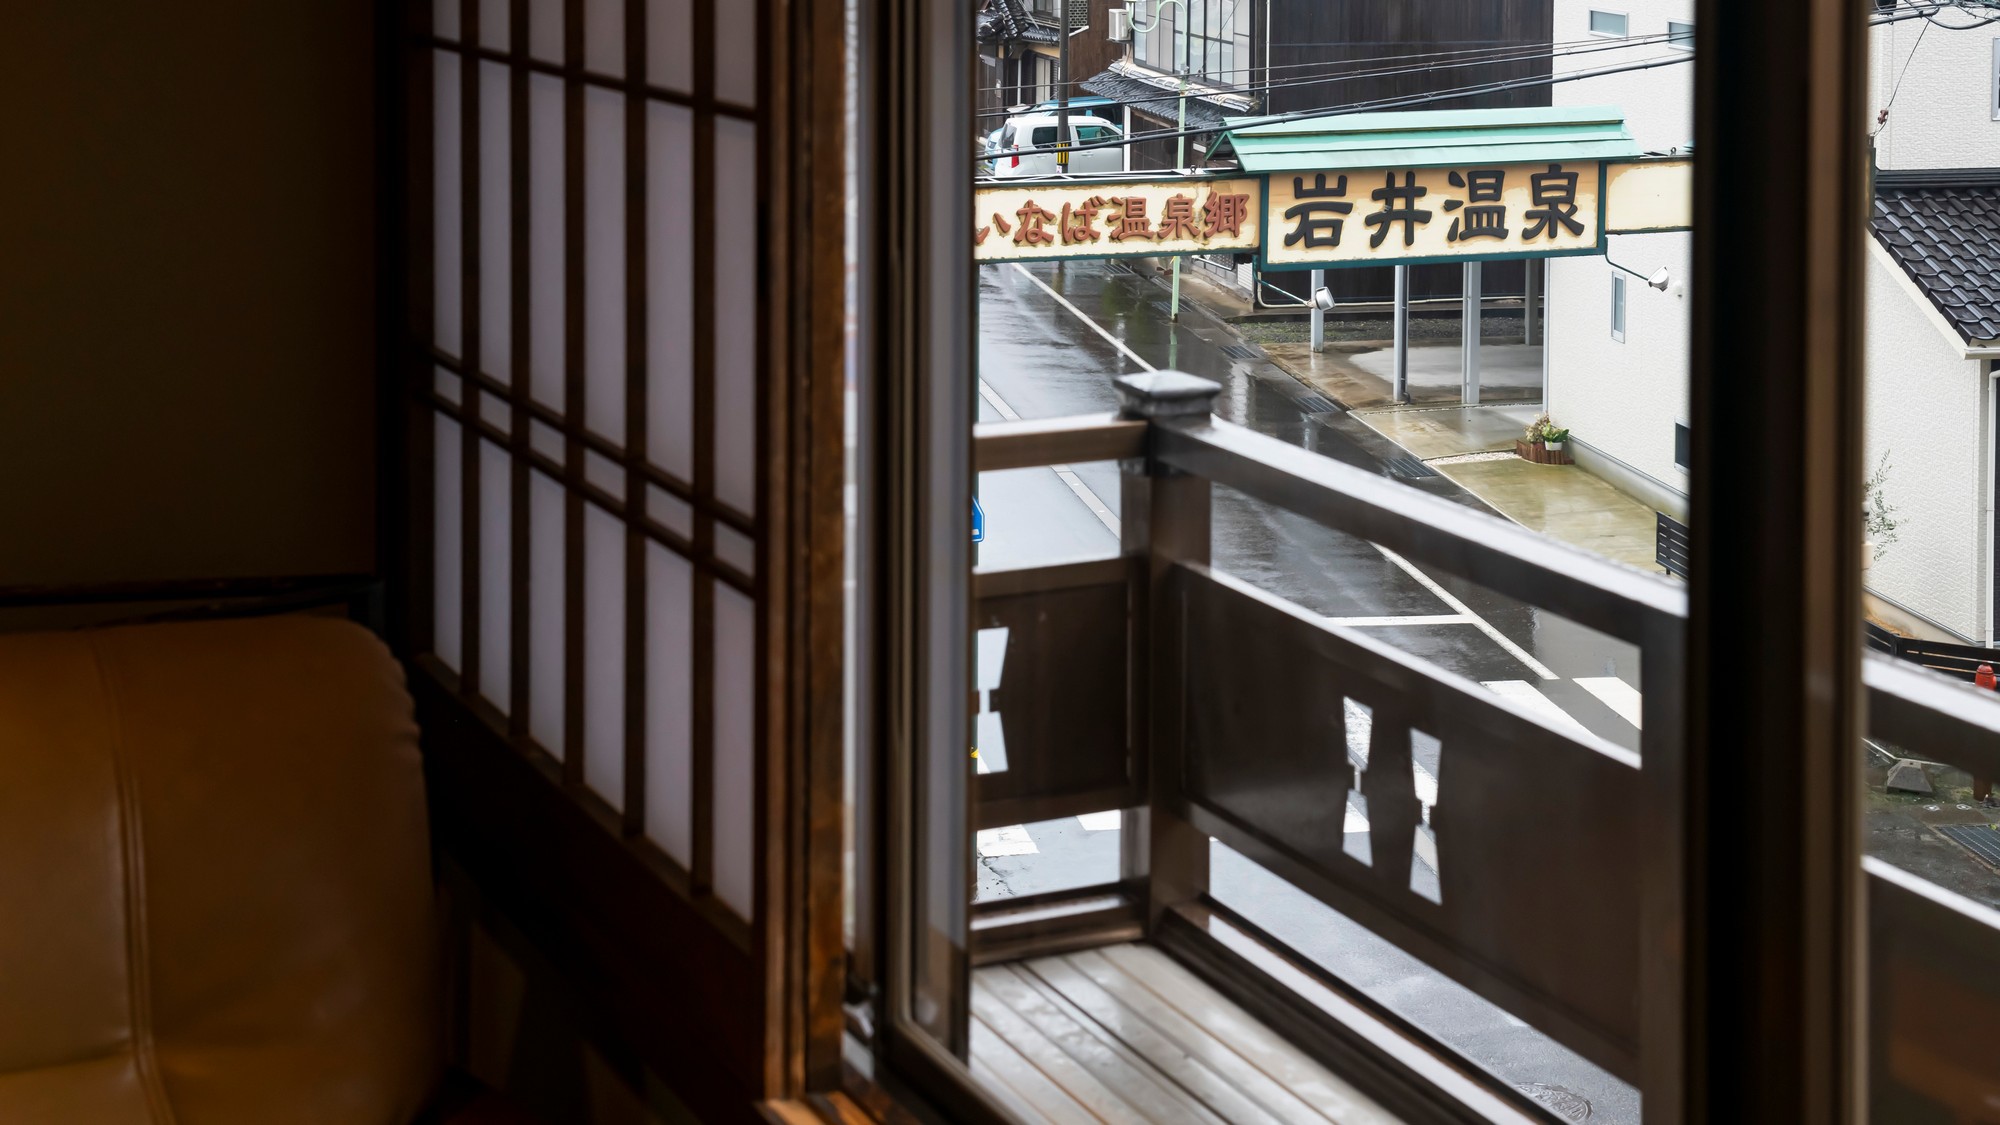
[[593, 347]]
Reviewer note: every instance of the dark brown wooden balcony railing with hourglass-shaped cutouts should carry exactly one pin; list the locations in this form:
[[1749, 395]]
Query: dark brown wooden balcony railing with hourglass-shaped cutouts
[[1215, 710]]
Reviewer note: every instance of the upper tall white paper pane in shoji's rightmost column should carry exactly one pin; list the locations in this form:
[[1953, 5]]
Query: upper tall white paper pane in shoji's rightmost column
[[737, 313]]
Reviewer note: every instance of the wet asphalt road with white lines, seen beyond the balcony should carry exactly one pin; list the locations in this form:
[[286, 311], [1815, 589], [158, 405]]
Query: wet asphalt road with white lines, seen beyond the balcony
[[1053, 339]]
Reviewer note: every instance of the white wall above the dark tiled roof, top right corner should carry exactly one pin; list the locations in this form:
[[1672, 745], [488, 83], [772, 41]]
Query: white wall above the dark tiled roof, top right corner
[[1943, 117]]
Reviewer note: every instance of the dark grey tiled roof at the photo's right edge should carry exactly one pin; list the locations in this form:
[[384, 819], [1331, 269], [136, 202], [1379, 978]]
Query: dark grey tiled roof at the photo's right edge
[[1945, 231]]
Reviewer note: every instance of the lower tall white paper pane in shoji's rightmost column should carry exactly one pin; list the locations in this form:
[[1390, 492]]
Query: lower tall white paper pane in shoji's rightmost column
[[735, 786]]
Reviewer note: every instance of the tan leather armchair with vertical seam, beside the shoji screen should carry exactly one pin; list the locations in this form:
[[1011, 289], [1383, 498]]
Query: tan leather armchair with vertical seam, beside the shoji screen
[[217, 898]]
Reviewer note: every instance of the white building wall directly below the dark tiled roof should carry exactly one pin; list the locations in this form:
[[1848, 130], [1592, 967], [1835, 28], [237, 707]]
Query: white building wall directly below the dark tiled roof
[[1927, 411]]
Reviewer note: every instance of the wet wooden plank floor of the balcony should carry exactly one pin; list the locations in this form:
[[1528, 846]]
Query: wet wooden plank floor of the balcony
[[1125, 1034]]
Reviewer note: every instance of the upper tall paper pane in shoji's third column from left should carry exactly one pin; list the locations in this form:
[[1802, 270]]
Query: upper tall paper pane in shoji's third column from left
[[545, 239]]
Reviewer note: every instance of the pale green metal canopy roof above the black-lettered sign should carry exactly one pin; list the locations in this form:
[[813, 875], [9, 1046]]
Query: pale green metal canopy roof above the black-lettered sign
[[1431, 139]]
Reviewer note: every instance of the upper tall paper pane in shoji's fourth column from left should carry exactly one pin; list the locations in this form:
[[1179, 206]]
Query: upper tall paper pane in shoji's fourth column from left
[[605, 263]]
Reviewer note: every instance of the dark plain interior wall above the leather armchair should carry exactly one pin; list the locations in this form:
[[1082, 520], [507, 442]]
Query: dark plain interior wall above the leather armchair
[[187, 289]]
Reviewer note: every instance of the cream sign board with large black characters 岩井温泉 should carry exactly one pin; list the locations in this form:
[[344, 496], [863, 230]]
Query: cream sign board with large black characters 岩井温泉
[[1411, 215]]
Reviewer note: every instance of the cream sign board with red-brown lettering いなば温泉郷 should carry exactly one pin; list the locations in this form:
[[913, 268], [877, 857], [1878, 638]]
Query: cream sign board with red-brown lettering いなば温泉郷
[[1107, 221]]
